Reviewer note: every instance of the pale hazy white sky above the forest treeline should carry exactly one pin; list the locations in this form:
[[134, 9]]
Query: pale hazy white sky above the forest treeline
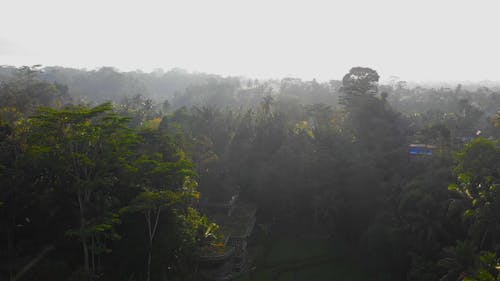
[[424, 40]]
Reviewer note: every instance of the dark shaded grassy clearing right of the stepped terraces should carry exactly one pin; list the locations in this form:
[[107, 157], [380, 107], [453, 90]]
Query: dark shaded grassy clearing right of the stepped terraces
[[304, 259]]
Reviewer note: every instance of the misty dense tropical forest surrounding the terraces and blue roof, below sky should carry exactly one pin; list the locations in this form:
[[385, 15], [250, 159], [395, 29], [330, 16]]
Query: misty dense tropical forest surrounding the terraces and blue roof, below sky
[[103, 175]]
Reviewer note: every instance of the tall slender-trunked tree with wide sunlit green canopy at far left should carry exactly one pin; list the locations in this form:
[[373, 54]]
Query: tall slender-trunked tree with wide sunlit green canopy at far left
[[81, 151]]
